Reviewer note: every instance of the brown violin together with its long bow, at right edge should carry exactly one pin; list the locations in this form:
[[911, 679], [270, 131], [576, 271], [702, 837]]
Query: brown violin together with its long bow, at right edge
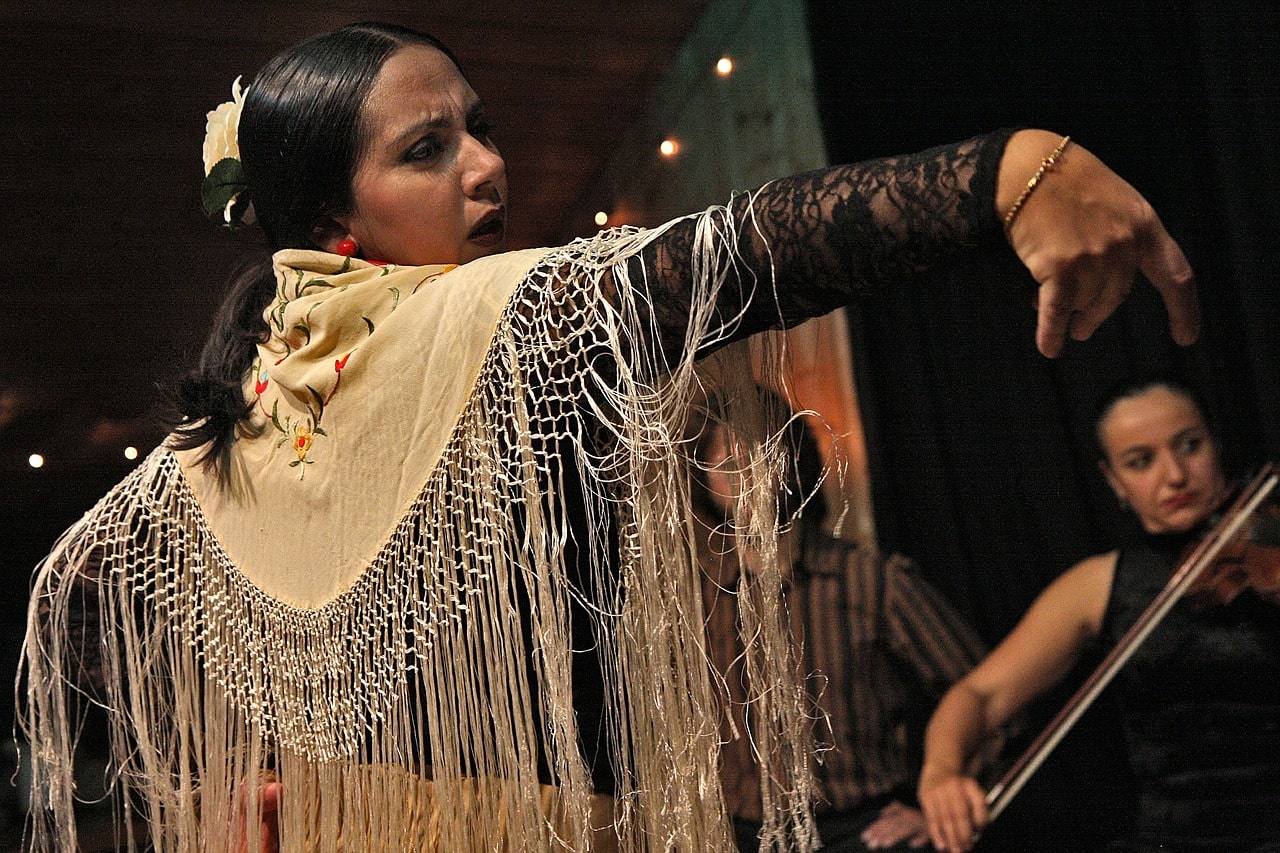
[[1241, 551]]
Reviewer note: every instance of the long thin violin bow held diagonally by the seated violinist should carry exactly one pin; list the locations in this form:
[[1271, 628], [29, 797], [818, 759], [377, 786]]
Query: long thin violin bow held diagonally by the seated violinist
[[1191, 568]]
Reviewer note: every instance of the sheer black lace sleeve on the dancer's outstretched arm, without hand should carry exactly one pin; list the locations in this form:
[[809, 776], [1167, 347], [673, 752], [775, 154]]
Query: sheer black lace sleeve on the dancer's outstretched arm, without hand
[[834, 235]]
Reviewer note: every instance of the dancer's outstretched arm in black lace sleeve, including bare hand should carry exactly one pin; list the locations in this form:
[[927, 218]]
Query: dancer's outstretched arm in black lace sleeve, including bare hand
[[833, 236]]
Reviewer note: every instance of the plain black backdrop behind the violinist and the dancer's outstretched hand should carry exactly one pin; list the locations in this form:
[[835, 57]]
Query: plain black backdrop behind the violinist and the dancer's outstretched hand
[[981, 450]]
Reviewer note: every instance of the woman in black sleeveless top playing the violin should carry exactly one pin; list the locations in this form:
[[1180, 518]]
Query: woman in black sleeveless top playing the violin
[[1200, 697]]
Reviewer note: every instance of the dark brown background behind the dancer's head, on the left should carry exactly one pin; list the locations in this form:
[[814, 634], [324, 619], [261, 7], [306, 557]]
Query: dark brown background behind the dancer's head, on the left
[[111, 271]]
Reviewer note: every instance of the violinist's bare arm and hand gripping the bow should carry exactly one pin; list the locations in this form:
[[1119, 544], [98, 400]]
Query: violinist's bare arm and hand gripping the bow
[[1036, 655]]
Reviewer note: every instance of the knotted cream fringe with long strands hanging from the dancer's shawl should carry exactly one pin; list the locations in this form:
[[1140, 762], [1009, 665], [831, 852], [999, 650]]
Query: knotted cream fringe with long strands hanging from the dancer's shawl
[[414, 710]]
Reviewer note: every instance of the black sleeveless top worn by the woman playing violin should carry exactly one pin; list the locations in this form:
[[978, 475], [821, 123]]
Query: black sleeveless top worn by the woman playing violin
[[1201, 703]]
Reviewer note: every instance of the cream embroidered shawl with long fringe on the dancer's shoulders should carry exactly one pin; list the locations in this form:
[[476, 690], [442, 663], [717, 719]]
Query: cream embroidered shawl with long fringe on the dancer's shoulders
[[378, 606]]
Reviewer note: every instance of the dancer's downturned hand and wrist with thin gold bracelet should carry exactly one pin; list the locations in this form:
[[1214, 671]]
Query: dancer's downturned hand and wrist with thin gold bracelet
[[1085, 234]]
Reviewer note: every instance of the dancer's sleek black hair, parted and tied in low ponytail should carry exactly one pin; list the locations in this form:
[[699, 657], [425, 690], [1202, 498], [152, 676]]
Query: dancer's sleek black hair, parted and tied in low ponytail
[[300, 142]]
